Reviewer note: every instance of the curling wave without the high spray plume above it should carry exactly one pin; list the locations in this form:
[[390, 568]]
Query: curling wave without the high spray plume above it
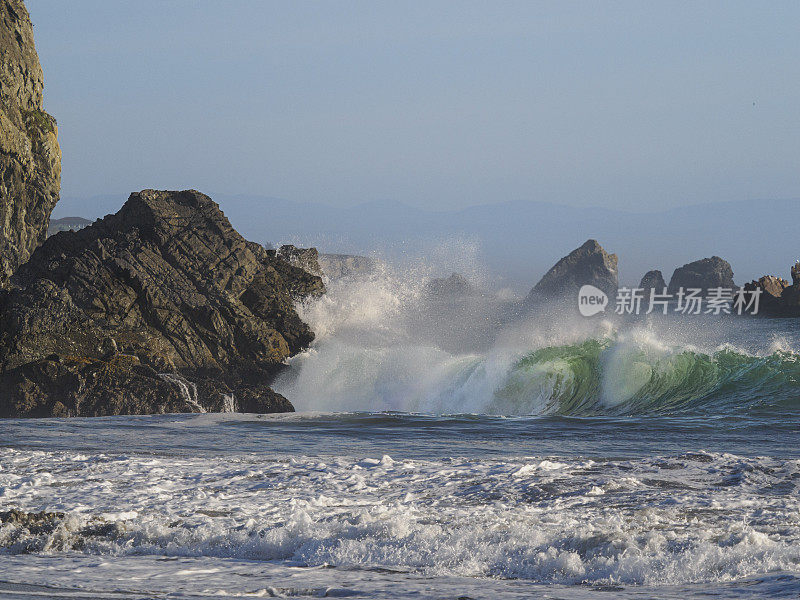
[[626, 374]]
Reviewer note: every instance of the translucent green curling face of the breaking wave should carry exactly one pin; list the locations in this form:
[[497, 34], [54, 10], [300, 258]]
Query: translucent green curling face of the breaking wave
[[613, 377]]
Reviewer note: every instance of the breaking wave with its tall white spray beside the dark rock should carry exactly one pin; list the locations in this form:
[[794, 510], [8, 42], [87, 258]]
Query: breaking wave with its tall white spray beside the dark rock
[[385, 345]]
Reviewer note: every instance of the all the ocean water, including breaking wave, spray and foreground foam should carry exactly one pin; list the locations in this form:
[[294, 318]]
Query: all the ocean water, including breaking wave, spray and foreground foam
[[441, 449]]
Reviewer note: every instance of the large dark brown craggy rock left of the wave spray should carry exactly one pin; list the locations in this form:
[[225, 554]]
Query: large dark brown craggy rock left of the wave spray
[[161, 307]]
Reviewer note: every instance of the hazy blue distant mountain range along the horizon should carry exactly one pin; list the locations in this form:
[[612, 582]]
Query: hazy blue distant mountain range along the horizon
[[518, 241]]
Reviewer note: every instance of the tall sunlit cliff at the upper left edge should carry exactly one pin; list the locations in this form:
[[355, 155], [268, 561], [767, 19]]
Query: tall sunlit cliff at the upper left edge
[[30, 158]]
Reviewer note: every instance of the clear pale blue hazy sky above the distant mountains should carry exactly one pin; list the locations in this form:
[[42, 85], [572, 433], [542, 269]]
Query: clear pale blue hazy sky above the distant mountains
[[436, 104]]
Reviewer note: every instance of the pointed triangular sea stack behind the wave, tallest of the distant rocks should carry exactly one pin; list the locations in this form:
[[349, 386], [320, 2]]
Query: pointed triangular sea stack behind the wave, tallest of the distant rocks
[[588, 265]]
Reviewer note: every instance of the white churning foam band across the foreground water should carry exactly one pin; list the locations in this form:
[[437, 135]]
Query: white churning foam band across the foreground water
[[649, 521]]
